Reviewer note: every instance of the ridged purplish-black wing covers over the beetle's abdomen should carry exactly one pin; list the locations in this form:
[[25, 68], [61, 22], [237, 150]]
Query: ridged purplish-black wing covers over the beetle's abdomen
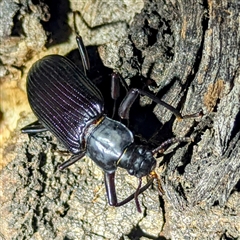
[[63, 99]]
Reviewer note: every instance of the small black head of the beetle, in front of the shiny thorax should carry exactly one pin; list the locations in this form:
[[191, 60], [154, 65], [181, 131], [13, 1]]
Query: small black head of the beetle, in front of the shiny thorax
[[138, 161]]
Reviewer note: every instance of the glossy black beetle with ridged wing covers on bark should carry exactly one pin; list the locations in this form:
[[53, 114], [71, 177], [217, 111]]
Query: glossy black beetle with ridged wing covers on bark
[[71, 107]]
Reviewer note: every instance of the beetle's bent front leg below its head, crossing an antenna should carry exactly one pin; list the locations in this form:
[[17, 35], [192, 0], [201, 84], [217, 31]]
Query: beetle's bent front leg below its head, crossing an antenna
[[111, 191]]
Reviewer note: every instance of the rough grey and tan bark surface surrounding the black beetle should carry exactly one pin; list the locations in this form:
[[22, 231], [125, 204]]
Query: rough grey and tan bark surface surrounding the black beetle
[[185, 52]]
